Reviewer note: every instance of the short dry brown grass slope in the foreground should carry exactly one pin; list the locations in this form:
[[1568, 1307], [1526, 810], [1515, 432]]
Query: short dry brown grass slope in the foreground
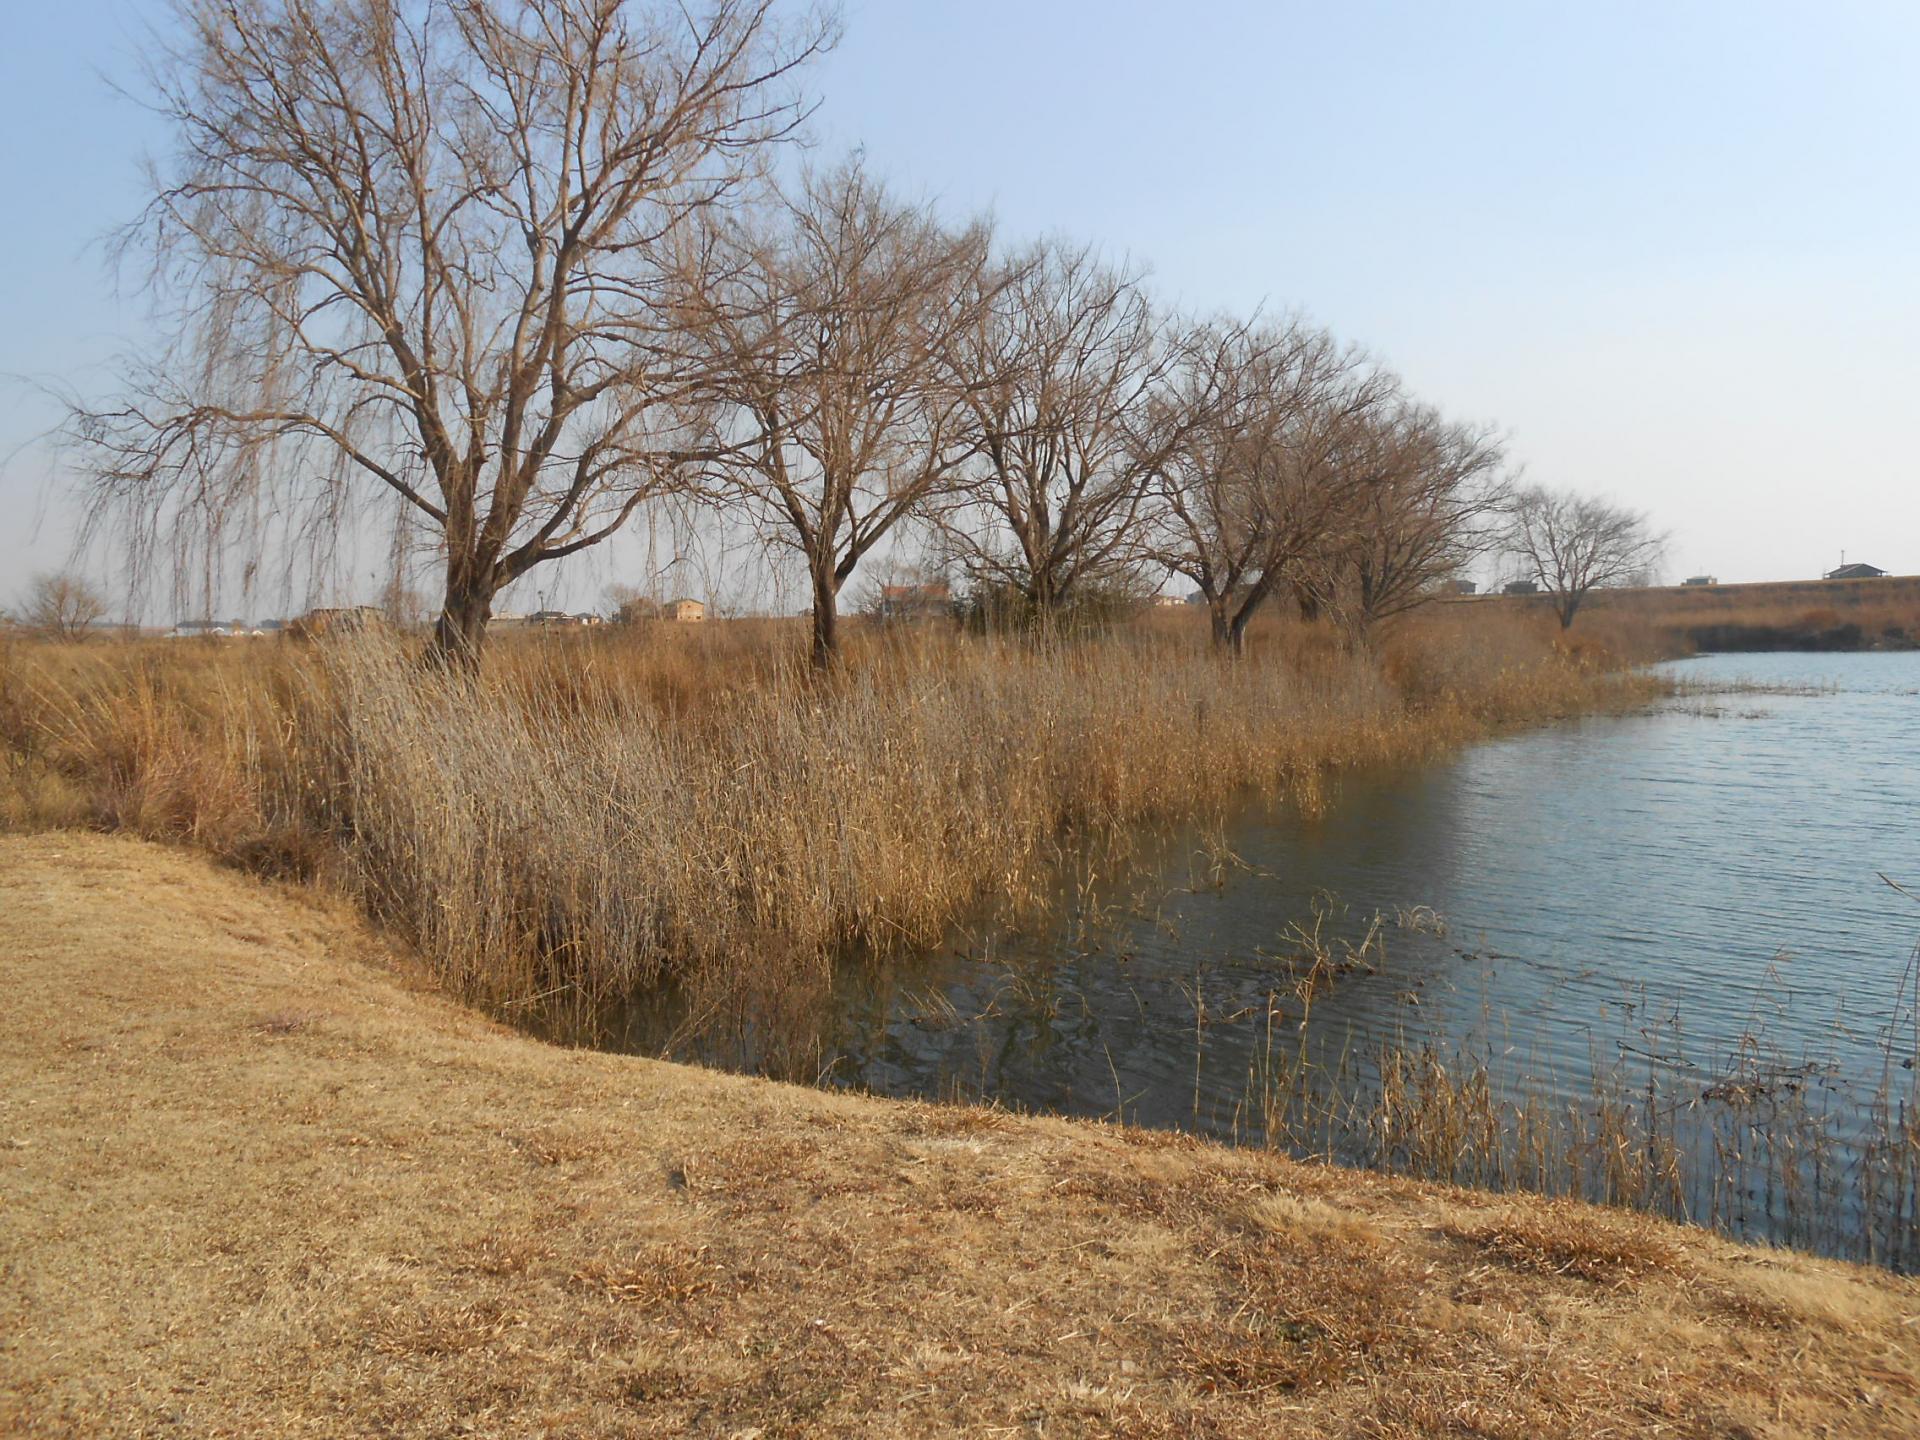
[[254, 1184]]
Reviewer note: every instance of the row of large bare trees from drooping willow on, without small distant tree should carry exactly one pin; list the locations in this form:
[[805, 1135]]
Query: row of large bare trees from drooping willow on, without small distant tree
[[519, 266]]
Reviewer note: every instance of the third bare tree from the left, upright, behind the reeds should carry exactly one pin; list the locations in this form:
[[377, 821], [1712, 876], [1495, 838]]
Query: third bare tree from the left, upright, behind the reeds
[[1061, 373]]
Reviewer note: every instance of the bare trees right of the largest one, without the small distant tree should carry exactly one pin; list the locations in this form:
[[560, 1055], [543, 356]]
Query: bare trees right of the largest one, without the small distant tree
[[1051, 429]]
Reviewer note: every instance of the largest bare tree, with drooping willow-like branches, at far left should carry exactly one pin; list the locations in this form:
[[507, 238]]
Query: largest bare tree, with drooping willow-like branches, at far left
[[421, 247]]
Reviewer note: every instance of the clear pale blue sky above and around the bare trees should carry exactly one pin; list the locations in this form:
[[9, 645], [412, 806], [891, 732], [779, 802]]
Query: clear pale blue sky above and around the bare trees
[[1669, 251]]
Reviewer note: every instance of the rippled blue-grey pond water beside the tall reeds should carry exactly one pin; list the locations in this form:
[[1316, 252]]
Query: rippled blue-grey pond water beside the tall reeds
[[1691, 894]]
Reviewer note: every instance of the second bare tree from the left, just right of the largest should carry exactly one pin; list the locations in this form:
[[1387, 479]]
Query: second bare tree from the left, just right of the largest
[[828, 339]]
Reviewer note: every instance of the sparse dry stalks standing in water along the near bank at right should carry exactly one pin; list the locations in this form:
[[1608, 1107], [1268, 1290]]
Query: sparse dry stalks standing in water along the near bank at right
[[1754, 1143]]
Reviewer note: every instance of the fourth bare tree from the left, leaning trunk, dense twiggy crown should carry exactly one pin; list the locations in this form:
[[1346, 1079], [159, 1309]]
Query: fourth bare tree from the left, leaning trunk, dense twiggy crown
[[1264, 483]]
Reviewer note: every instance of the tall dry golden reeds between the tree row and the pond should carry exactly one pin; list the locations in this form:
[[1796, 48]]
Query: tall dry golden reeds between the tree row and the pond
[[610, 813]]
